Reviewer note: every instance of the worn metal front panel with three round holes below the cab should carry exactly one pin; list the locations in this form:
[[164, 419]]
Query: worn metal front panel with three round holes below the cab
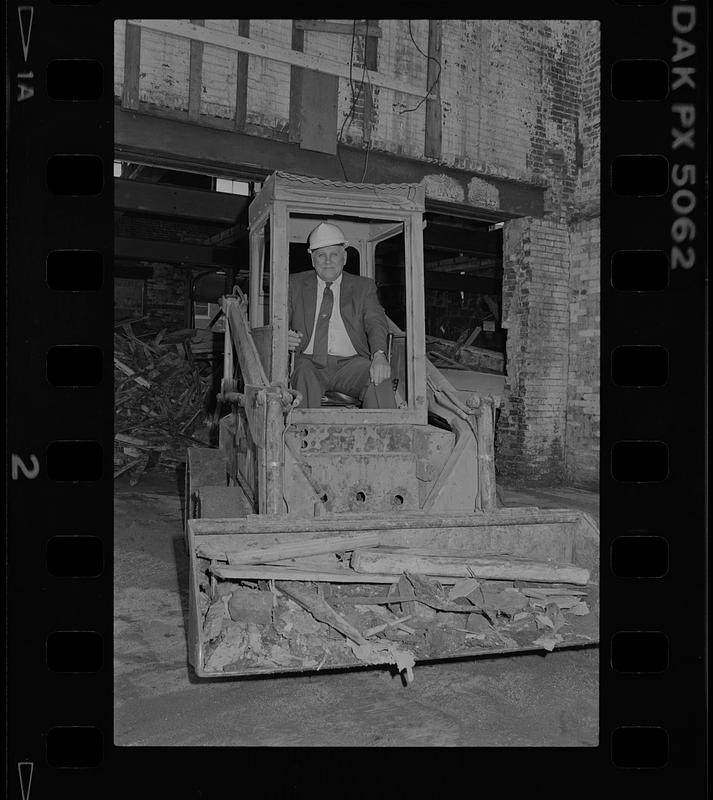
[[354, 482]]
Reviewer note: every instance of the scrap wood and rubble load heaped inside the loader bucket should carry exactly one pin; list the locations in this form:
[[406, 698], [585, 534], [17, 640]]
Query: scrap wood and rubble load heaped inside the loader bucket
[[345, 600]]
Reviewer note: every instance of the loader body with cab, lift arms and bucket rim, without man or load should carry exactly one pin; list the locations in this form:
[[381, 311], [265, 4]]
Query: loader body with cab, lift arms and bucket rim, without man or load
[[283, 473]]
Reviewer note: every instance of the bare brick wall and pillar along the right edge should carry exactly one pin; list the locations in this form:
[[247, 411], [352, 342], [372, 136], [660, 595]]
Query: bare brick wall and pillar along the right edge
[[549, 425]]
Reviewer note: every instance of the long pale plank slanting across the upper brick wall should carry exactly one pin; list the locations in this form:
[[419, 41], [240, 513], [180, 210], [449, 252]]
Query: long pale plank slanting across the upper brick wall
[[264, 50]]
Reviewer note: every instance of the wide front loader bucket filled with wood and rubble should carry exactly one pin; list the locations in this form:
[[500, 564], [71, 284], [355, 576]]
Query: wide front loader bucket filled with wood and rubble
[[274, 594]]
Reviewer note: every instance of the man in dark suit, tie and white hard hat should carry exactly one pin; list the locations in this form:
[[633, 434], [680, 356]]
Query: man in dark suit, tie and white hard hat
[[338, 329]]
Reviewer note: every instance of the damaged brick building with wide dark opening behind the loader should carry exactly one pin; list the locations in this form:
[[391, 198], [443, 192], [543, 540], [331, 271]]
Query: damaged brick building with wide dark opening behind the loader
[[497, 119]]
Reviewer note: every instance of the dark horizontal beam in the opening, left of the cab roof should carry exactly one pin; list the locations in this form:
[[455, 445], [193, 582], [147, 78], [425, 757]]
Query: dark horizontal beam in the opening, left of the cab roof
[[174, 201]]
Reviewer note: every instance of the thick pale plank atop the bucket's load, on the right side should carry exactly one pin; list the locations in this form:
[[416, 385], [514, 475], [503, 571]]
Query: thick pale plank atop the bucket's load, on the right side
[[491, 568]]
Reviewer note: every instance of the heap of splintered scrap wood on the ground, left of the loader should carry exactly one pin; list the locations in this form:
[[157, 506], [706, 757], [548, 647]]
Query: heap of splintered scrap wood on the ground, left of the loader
[[158, 399]]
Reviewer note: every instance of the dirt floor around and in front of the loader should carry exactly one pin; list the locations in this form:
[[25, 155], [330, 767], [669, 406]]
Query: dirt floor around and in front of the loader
[[524, 700]]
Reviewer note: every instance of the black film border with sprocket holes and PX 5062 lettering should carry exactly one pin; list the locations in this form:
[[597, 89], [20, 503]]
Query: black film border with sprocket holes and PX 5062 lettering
[[65, 85]]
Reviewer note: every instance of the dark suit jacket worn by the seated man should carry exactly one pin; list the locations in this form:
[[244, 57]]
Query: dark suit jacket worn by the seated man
[[362, 314]]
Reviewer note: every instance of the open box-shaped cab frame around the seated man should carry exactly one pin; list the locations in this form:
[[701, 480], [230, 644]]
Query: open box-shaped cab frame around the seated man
[[284, 212]]
